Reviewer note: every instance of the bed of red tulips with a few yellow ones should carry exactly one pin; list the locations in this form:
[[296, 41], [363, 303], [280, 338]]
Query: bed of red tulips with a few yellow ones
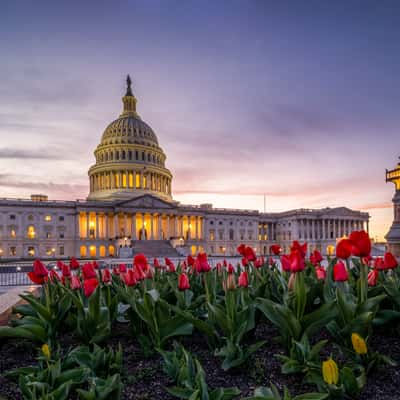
[[252, 331]]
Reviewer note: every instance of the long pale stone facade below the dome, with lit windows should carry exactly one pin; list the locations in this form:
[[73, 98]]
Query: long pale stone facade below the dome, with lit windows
[[93, 229]]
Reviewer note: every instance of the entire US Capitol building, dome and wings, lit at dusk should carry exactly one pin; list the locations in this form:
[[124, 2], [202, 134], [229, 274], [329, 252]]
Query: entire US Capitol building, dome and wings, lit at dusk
[[130, 209]]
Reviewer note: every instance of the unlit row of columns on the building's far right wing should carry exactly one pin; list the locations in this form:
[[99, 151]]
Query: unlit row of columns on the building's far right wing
[[328, 228]]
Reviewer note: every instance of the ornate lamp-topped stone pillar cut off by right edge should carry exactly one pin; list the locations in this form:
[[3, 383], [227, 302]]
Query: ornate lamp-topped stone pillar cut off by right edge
[[393, 236]]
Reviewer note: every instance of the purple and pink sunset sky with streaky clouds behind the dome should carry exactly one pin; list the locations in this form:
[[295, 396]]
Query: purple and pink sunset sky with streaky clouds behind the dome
[[294, 100]]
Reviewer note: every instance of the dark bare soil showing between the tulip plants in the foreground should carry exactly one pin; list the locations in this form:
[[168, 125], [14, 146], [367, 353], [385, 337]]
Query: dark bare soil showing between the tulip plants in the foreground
[[144, 378]]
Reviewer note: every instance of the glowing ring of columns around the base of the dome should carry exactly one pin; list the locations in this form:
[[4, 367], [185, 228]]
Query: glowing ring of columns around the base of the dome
[[130, 180]]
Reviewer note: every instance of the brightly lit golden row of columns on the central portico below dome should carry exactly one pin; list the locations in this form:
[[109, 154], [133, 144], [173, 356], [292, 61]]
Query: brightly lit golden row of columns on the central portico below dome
[[140, 226]]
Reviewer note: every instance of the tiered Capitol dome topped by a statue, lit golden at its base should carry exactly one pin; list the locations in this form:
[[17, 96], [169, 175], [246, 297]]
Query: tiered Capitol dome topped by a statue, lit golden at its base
[[129, 160]]
